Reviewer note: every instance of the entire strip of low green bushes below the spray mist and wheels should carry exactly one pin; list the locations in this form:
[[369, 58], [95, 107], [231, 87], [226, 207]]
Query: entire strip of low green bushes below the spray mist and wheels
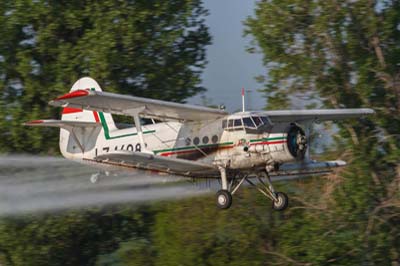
[[186, 232]]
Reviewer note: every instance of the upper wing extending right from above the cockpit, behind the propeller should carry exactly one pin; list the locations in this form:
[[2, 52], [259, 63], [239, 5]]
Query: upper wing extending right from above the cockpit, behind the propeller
[[316, 114]]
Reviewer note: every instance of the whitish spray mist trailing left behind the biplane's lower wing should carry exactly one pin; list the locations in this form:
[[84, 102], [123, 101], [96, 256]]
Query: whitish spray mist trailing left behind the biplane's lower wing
[[31, 184]]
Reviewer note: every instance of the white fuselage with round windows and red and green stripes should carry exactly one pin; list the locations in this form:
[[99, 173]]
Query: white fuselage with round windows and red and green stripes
[[206, 142]]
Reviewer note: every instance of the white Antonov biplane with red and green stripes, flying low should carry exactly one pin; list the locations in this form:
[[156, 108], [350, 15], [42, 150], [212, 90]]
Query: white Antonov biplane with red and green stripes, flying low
[[191, 141]]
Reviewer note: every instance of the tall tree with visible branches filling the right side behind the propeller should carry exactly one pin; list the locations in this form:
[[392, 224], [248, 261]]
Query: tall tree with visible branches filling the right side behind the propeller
[[346, 53]]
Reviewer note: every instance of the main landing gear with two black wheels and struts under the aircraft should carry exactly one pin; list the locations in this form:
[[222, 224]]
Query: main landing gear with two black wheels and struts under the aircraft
[[224, 196]]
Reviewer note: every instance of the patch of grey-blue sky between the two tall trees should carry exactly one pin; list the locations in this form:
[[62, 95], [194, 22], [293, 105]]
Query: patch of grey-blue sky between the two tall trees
[[229, 66]]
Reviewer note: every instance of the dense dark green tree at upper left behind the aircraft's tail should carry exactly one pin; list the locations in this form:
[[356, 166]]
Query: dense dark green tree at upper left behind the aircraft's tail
[[144, 48]]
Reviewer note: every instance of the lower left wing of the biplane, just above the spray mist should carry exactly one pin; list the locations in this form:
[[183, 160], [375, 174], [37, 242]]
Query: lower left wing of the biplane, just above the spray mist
[[154, 162]]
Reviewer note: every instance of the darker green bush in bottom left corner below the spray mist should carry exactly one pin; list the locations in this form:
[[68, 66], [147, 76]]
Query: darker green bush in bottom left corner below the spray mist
[[73, 238]]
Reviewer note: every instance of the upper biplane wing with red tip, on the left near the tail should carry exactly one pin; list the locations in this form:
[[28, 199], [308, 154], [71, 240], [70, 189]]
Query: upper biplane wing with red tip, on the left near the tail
[[125, 105]]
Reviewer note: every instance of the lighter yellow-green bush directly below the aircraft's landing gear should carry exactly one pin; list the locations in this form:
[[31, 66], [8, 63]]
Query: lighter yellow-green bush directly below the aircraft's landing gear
[[195, 233]]
